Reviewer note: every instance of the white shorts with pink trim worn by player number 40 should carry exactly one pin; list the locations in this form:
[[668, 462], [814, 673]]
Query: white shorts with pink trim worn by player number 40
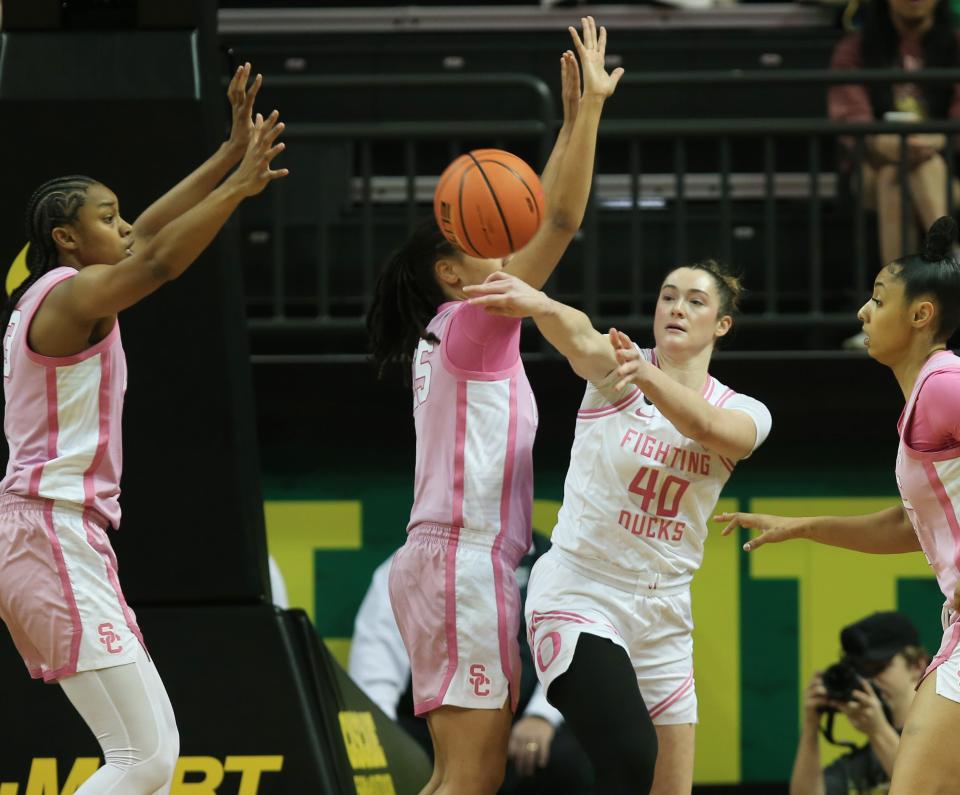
[[655, 631]]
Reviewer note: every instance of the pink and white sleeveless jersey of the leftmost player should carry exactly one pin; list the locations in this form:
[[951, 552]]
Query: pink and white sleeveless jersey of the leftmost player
[[63, 414]]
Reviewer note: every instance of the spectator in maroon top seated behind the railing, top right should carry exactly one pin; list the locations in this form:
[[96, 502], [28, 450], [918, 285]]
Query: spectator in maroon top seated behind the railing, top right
[[912, 35]]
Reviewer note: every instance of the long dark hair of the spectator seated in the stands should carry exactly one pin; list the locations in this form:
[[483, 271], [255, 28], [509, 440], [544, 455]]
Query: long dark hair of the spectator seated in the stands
[[880, 49]]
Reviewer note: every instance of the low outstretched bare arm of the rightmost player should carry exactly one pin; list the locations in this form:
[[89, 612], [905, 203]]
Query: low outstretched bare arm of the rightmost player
[[884, 532]]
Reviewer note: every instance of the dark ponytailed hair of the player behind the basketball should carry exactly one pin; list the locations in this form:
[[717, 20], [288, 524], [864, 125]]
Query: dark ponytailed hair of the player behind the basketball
[[406, 297]]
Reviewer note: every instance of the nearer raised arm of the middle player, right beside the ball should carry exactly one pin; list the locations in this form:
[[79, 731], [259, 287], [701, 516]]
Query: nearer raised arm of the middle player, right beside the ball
[[564, 212]]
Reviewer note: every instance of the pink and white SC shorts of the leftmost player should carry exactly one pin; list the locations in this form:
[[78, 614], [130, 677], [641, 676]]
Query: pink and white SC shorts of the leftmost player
[[59, 592]]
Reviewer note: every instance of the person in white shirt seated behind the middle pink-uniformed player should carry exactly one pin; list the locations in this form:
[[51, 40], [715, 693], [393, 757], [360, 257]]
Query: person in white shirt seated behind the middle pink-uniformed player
[[544, 756]]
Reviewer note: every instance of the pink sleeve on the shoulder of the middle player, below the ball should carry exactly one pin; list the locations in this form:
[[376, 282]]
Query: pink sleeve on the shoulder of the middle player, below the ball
[[481, 342]]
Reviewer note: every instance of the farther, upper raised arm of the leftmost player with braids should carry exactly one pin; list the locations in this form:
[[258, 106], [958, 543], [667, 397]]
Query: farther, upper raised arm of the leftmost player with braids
[[198, 184]]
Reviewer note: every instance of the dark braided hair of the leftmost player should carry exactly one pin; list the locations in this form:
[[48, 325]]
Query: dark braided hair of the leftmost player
[[53, 204]]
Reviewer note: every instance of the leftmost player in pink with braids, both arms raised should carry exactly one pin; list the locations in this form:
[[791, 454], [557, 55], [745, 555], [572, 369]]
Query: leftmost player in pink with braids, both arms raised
[[65, 374]]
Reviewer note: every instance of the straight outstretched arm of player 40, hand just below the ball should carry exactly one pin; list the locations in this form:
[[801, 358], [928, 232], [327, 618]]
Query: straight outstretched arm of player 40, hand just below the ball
[[569, 330]]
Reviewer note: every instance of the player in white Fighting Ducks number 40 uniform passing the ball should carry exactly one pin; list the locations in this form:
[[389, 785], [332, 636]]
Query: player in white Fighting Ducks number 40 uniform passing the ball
[[608, 607]]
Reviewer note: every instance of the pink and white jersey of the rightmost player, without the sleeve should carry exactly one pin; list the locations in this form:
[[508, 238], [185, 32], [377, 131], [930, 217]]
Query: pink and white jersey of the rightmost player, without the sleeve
[[929, 484]]
